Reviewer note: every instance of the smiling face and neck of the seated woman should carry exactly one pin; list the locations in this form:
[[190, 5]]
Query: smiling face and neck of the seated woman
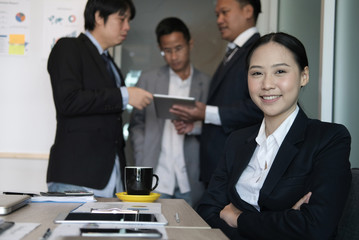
[[274, 82]]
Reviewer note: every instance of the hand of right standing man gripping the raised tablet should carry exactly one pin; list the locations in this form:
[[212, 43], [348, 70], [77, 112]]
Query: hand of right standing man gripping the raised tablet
[[190, 114]]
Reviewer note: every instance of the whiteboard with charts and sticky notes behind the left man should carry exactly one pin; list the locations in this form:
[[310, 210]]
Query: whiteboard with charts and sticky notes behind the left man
[[27, 112]]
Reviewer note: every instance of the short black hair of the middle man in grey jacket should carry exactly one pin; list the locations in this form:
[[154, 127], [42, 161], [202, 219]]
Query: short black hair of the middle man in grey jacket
[[170, 25]]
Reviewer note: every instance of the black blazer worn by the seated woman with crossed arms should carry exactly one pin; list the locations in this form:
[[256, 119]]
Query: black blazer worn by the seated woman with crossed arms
[[314, 157]]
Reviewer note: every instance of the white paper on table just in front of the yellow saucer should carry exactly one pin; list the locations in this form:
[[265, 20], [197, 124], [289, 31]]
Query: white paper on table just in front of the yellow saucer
[[140, 206]]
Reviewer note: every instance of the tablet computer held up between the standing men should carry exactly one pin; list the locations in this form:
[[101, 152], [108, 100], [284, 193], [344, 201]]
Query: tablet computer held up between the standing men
[[163, 103]]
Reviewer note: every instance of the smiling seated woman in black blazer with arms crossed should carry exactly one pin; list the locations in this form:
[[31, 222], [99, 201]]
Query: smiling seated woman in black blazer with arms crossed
[[288, 176]]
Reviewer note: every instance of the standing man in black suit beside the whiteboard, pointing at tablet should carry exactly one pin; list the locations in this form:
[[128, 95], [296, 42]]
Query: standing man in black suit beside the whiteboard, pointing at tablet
[[89, 95]]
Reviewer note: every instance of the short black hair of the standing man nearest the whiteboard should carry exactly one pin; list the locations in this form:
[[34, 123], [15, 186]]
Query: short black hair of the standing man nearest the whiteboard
[[106, 8]]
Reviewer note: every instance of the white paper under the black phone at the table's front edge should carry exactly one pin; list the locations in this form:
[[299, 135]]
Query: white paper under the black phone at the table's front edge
[[66, 230]]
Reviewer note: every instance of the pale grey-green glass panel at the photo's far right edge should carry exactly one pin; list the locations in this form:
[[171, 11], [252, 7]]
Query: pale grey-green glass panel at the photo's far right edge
[[346, 80]]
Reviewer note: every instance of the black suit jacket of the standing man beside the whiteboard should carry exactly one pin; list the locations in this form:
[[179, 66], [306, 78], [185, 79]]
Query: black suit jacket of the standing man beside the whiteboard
[[88, 111]]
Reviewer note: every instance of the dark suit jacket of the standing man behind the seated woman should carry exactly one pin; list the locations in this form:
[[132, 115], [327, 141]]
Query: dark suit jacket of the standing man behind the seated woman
[[229, 91]]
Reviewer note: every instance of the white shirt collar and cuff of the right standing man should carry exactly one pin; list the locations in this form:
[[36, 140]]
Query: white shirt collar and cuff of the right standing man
[[212, 113]]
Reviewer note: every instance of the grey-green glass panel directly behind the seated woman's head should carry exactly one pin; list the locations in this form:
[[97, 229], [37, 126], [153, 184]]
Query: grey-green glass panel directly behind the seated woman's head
[[302, 19]]
